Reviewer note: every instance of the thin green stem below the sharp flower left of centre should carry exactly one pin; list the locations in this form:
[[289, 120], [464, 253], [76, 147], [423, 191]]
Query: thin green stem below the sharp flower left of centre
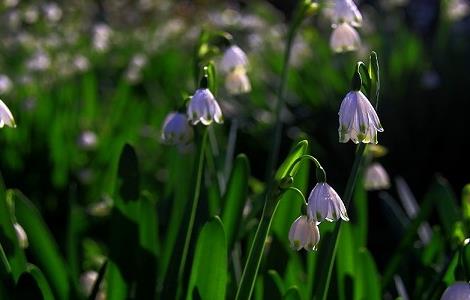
[[197, 191]]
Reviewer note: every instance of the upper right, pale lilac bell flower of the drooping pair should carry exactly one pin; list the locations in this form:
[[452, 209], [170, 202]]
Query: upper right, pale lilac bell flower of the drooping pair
[[325, 204]]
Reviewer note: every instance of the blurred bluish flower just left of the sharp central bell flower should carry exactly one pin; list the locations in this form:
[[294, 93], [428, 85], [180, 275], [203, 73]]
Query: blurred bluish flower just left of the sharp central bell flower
[[176, 129]]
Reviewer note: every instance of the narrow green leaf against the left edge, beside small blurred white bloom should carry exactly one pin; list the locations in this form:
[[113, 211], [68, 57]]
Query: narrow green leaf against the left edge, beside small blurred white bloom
[[16, 259]]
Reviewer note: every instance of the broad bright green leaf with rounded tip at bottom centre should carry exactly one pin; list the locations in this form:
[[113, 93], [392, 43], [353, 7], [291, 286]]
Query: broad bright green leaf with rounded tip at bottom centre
[[209, 269]]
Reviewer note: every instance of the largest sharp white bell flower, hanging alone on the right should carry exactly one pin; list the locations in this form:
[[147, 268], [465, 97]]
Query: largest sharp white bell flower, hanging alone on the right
[[358, 120]]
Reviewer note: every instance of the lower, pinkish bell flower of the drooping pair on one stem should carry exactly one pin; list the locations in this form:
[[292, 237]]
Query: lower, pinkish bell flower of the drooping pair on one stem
[[304, 233]]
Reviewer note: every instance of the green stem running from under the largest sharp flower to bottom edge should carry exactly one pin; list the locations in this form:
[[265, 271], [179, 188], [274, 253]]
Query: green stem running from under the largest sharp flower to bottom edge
[[322, 287]]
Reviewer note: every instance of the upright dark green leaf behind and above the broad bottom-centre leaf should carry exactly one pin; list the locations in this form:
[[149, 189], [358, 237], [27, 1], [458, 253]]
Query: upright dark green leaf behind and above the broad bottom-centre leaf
[[235, 197]]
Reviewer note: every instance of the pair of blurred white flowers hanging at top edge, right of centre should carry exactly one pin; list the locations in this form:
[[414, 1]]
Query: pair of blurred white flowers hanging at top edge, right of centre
[[345, 16]]
